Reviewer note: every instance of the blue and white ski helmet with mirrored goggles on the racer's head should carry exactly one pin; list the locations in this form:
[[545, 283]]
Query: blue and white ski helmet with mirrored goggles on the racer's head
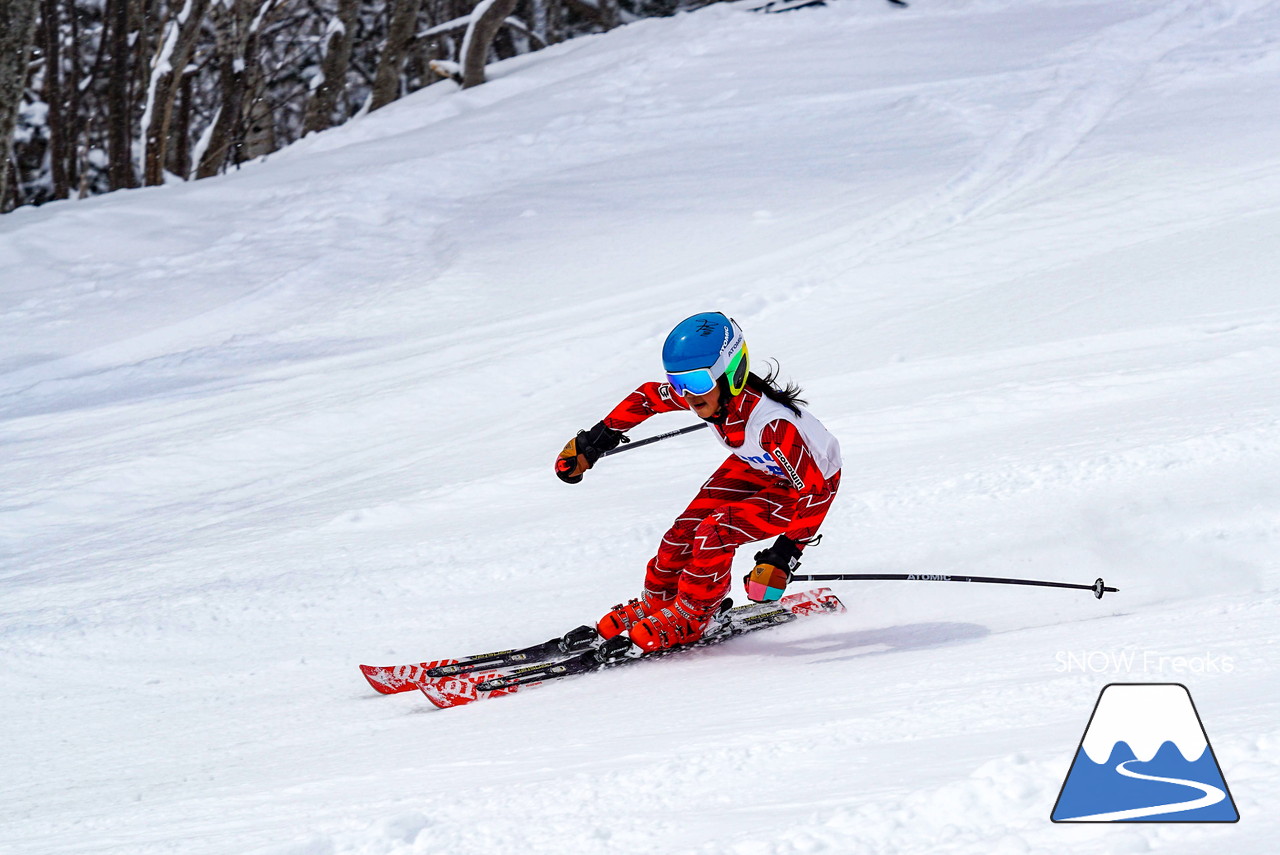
[[702, 350]]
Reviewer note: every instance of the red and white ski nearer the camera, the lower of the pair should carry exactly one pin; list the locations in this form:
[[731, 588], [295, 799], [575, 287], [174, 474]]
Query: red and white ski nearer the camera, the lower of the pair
[[447, 692]]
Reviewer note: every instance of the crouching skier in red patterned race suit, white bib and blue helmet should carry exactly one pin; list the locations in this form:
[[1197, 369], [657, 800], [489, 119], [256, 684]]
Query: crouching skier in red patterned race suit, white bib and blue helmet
[[780, 479]]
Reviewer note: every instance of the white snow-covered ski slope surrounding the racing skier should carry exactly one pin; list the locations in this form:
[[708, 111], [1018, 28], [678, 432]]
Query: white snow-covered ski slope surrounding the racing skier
[[260, 429]]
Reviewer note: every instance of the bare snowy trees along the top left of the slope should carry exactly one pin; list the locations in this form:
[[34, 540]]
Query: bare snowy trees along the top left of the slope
[[100, 95]]
